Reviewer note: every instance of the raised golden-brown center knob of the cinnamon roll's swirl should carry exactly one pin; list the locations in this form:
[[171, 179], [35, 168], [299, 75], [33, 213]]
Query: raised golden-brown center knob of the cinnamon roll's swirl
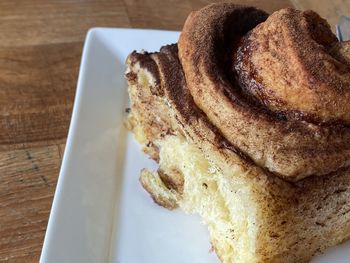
[[288, 65]]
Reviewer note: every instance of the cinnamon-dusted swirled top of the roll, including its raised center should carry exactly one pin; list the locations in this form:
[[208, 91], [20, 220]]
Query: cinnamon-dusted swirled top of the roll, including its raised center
[[276, 88]]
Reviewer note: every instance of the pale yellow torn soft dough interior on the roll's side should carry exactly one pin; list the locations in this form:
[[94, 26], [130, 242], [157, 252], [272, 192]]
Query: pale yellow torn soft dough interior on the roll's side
[[223, 203]]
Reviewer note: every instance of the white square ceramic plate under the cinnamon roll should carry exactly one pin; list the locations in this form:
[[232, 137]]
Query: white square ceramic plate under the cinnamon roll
[[100, 212]]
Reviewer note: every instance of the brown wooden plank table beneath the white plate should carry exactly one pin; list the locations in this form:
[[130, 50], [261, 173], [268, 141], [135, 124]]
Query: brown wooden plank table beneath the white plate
[[40, 49]]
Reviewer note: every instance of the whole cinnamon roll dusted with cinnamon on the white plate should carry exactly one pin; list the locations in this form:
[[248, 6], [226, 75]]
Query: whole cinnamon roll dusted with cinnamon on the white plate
[[247, 117]]
